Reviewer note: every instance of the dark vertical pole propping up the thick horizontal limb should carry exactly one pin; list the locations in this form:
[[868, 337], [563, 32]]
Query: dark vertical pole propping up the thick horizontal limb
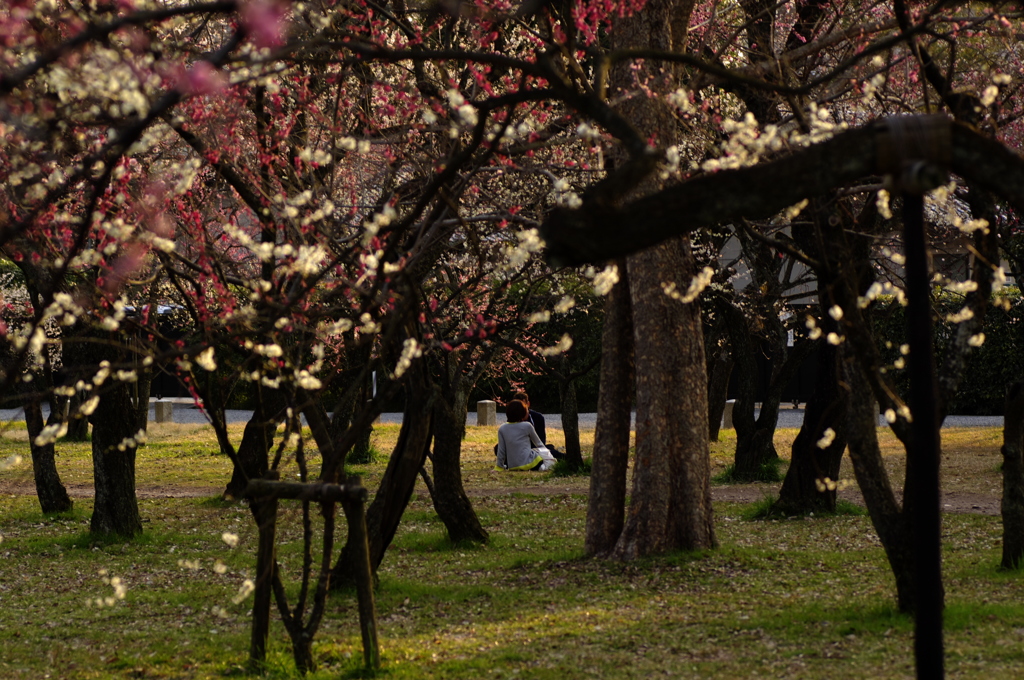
[[925, 448]]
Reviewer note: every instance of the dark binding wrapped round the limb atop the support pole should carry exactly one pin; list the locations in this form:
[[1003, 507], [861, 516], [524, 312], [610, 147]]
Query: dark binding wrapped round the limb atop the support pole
[[915, 152]]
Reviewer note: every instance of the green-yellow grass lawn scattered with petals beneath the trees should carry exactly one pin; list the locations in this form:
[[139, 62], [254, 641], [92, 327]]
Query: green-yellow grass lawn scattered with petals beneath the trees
[[796, 599]]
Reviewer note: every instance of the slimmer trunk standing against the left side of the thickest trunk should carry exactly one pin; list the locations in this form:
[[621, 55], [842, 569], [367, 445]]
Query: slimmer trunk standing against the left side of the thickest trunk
[[607, 504]]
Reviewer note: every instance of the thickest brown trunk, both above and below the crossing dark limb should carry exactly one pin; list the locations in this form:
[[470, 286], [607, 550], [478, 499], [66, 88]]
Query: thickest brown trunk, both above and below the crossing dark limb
[[671, 502]]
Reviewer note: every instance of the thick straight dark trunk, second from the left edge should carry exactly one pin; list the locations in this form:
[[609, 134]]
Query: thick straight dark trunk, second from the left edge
[[114, 429]]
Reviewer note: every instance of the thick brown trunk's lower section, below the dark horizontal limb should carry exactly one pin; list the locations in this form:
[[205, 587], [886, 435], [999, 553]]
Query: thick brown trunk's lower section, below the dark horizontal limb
[[671, 506]]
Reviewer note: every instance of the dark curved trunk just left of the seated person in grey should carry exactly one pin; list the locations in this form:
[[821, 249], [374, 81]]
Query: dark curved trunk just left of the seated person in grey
[[451, 502]]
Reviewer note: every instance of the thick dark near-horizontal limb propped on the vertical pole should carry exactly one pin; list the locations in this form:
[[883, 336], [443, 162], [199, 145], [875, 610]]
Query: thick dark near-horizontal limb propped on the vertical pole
[[594, 233]]
